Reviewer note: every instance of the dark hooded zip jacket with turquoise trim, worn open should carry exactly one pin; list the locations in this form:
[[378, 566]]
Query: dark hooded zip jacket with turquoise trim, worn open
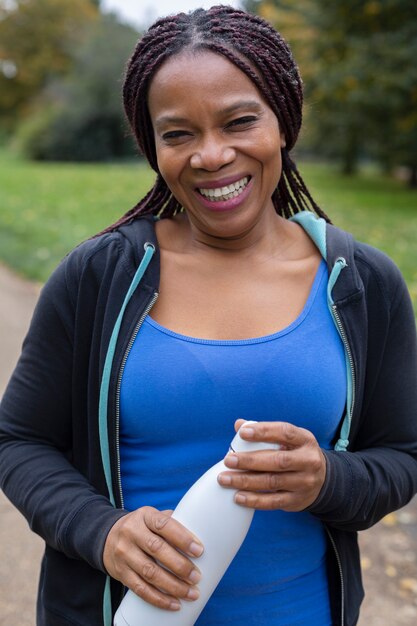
[[59, 421]]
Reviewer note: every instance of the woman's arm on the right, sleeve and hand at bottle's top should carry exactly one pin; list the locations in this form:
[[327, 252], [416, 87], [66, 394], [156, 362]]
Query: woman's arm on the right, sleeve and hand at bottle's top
[[348, 490]]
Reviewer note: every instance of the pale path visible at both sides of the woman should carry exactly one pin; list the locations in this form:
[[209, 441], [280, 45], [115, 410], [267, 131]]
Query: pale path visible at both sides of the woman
[[389, 550]]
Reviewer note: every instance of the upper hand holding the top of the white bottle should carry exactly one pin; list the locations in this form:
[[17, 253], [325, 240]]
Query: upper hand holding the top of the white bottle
[[289, 478]]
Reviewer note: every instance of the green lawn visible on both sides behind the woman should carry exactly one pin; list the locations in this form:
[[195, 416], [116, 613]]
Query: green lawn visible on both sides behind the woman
[[47, 208]]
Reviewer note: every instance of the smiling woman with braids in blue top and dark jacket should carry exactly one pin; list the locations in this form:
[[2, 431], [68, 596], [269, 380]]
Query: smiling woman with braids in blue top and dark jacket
[[241, 302]]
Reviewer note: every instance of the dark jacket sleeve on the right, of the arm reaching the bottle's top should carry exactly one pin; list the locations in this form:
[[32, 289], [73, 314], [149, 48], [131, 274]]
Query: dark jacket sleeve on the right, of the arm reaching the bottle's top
[[379, 472]]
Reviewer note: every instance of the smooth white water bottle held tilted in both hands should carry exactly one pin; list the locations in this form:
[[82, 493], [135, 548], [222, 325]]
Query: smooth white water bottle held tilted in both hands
[[209, 511]]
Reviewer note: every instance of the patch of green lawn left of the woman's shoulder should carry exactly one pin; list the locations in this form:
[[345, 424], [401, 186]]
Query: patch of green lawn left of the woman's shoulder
[[48, 208]]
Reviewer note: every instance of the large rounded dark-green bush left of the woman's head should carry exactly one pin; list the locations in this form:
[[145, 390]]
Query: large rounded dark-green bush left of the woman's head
[[80, 117]]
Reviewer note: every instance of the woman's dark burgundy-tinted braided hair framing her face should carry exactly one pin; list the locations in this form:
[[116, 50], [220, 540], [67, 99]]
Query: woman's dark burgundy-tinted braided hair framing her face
[[238, 36]]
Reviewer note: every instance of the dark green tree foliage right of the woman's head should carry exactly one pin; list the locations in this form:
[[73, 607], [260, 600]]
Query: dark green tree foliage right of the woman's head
[[358, 62]]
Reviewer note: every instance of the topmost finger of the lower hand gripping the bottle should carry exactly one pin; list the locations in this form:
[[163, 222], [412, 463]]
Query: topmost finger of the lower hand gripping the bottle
[[172, 531]]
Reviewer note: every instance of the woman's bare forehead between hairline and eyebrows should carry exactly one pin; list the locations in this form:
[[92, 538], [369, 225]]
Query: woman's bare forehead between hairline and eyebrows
[[203, 80]]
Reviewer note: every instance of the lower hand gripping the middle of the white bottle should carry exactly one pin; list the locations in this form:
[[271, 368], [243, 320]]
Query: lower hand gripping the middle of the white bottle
[[134, 545]]
